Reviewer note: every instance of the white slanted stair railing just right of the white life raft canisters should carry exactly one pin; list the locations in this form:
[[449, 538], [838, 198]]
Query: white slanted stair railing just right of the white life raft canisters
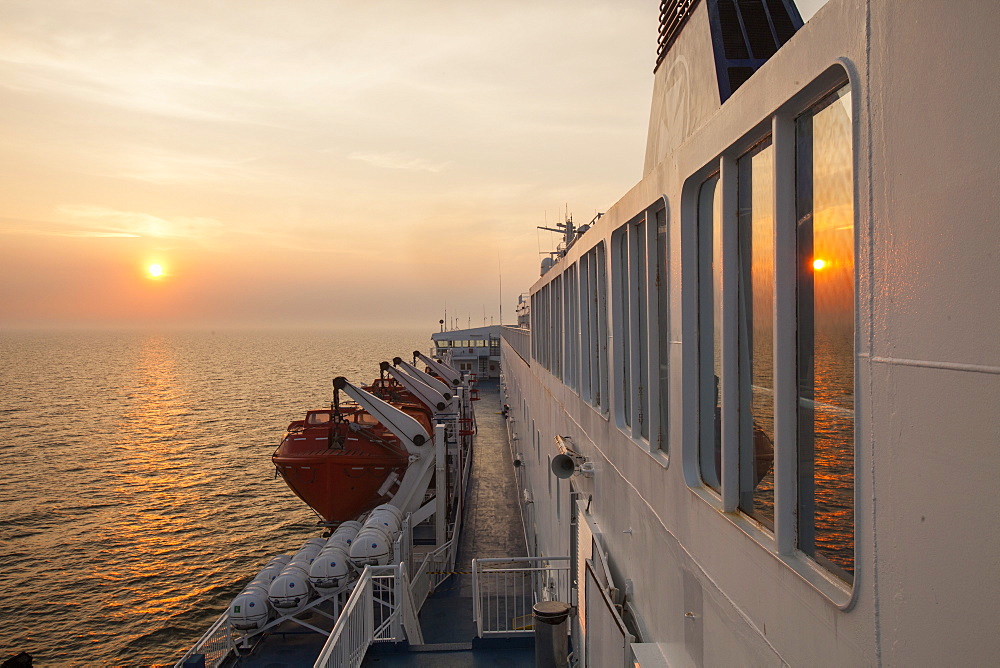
[[380, 609]]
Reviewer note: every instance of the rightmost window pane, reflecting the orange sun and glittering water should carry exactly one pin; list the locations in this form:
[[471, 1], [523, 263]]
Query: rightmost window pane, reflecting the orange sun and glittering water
[[825, 305]]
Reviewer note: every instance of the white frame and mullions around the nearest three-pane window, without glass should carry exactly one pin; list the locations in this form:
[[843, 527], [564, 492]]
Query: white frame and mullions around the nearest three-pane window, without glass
[[780, 126]]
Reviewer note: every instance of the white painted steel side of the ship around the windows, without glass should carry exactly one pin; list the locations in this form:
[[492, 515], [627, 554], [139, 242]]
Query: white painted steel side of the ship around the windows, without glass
[[703, 582]]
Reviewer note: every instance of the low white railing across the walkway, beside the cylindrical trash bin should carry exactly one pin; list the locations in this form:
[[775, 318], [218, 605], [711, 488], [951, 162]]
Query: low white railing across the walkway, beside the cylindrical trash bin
[[505, 590]]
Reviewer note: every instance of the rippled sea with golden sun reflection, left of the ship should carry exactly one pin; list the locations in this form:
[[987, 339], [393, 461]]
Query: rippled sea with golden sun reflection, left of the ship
[[137, 494]]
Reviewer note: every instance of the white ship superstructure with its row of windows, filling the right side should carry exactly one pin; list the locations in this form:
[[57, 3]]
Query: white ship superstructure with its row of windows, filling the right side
[[756, 402]]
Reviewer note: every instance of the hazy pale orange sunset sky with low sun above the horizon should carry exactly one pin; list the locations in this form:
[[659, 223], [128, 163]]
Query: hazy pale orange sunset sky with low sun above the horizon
[[305, 163]]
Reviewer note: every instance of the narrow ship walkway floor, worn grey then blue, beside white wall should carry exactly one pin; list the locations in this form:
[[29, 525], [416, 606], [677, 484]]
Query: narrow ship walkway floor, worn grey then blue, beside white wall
[[492, 527]]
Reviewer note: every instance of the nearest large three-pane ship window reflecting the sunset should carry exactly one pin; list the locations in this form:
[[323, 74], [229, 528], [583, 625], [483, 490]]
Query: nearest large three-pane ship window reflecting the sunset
[[774, 249]]
